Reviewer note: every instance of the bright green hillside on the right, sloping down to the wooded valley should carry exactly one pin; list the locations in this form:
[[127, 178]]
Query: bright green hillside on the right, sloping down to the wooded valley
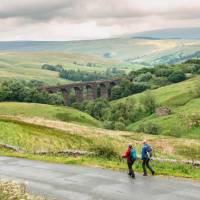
[[185, 108]]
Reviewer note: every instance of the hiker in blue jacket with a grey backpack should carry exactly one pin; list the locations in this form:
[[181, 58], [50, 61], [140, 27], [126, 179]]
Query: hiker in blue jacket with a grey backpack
[[146, 155]]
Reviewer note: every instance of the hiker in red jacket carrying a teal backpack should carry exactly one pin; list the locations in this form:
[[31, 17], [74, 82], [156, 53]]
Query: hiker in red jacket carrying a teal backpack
[[130, 160]]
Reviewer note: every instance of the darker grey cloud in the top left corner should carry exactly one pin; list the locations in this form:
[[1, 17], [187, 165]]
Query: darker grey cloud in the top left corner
[[33, 9]]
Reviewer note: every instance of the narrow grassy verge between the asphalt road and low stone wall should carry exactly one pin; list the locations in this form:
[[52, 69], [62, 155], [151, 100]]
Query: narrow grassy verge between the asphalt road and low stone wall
[[164, 168]]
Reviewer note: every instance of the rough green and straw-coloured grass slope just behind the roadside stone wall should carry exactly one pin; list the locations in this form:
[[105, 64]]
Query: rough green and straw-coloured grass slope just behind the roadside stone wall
[[34, 136]]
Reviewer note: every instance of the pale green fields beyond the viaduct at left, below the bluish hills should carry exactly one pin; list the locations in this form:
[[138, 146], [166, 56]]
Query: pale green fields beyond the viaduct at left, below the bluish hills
[[27, 65]]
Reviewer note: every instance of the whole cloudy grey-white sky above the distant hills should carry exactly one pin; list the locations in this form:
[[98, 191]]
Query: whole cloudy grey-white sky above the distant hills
[[89, 19]]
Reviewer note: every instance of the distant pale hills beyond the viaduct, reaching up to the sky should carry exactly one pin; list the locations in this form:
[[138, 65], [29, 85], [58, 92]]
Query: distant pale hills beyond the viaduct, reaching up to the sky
[[23, 59]]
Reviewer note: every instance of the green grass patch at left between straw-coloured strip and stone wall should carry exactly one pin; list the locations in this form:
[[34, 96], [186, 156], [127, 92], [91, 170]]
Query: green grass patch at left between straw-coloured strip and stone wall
[[32, 138]]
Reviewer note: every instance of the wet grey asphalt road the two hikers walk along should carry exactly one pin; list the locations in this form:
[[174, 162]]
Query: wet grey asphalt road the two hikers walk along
[[67, 182]]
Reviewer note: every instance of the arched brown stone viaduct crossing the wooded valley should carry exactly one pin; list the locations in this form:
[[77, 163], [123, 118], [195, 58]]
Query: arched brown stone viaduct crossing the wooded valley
[[84, 90]]
